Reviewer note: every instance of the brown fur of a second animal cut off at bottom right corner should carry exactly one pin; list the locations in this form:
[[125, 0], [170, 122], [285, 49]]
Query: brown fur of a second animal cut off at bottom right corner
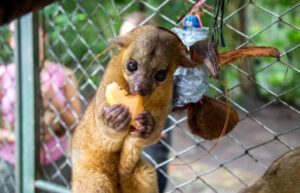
[[283, 176]]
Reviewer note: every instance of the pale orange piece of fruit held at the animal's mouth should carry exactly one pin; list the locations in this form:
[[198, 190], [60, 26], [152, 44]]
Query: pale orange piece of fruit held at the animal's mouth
[[115, 95]]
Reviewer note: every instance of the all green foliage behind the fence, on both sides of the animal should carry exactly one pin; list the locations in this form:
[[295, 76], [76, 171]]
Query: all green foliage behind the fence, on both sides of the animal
[[78, 30]]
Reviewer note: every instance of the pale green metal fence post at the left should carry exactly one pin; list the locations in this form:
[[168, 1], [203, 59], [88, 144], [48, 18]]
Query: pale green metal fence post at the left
[[27, 127]]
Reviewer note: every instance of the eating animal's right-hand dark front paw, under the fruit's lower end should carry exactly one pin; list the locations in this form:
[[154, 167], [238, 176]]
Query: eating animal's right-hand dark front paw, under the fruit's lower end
[[145, 125]]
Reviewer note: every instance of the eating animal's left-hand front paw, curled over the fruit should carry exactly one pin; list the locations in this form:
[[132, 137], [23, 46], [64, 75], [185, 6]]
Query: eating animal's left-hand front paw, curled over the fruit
[[116, 116]]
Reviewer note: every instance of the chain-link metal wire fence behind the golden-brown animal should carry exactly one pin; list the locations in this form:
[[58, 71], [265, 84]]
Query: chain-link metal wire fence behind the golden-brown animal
[[264, 91]]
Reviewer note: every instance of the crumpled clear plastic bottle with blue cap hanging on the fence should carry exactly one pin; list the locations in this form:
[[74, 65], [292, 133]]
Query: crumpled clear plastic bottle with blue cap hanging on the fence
[[190, 84]]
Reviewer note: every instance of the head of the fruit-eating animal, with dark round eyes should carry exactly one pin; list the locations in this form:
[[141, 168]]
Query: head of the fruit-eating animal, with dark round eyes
[[150, 57]]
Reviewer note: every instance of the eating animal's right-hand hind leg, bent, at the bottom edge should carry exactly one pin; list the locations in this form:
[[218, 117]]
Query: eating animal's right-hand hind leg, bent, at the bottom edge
[[142, 179]]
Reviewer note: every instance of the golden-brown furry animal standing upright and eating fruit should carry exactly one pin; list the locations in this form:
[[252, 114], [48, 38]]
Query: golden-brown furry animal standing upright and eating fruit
[[105, 150]]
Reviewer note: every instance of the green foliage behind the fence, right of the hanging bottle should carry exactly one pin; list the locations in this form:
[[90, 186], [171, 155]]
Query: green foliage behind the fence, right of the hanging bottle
[[269, 30]]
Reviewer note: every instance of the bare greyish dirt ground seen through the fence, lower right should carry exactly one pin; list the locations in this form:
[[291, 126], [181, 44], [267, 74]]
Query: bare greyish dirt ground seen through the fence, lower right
[[228, 168]]
